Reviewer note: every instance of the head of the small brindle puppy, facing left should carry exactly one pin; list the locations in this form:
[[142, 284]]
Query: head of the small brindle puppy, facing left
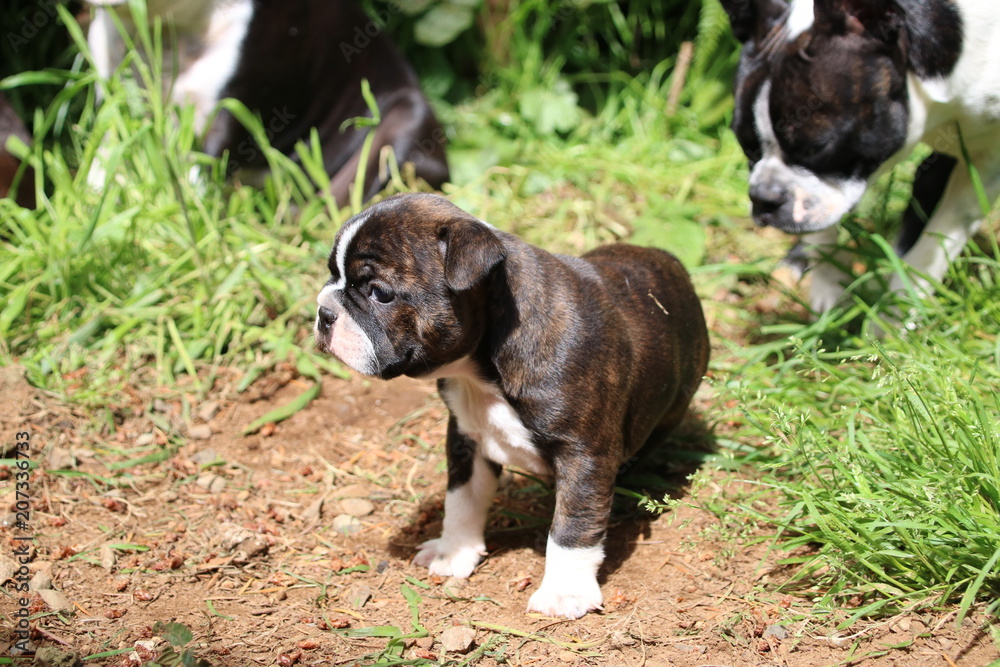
[[403, 296]]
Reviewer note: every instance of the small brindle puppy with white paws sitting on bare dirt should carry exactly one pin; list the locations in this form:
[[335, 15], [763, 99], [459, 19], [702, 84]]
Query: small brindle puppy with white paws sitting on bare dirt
[[559, 365]]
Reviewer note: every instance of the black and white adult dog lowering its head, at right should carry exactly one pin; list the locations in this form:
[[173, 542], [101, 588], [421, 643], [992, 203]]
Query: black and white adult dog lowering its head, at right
[[830, 93]]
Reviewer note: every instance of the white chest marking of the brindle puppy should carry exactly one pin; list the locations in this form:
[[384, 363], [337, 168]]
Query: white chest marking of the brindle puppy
[[484, 415]]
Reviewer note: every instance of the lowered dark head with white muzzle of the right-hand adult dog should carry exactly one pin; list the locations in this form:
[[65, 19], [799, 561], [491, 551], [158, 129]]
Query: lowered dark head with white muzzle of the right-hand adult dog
[[821, 103]]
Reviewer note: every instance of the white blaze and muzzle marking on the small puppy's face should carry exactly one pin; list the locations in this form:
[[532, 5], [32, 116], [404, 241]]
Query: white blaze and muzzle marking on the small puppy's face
[[343, 337]]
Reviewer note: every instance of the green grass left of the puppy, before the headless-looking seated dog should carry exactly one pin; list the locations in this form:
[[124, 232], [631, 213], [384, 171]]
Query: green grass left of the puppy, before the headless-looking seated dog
[[150, 270]]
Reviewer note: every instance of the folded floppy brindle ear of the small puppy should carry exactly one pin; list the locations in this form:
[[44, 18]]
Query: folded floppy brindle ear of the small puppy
[[471, 251]]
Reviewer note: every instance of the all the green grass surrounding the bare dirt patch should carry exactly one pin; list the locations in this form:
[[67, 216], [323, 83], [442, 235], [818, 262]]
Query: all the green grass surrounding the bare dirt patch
[[884, 455]]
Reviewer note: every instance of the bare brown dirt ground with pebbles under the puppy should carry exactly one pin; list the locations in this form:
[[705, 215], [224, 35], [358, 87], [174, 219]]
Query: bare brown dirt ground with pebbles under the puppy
[[293, 546]]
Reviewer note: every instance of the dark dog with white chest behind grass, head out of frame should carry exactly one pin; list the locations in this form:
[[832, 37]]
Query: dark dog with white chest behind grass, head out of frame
[[287, 61]]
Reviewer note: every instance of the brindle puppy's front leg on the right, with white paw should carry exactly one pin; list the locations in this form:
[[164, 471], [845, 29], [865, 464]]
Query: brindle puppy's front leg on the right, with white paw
[[575, 548]]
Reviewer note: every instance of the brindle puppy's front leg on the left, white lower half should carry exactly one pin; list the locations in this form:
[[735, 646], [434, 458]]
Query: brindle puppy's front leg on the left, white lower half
[[472, 482]]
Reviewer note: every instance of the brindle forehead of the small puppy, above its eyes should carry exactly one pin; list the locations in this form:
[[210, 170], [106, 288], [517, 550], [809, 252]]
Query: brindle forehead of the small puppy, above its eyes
[[395, 237]]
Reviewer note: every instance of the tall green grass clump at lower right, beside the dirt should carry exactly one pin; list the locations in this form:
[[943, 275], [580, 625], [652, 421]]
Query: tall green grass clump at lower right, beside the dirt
[[886, 456]]
